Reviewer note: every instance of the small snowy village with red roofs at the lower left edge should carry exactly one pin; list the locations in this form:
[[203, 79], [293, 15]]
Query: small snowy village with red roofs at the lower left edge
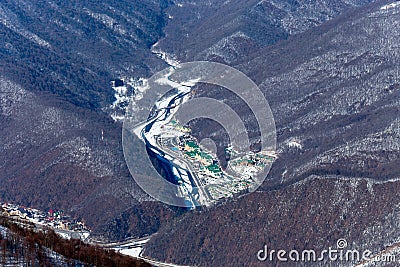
[[61, 223]]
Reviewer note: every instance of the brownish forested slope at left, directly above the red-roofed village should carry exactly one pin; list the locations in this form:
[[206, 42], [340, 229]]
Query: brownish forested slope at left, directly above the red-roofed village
[[59, 156]]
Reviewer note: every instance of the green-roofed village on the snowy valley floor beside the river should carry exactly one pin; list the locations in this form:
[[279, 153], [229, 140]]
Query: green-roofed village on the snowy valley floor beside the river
[[177, 139]]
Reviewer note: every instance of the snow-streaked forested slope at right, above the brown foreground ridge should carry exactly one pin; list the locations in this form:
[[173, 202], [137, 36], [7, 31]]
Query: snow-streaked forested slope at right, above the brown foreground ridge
[[337, 96]]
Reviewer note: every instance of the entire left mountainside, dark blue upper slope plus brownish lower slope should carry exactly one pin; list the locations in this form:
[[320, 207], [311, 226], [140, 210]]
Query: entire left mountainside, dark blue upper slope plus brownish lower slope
[[59, 147]]
